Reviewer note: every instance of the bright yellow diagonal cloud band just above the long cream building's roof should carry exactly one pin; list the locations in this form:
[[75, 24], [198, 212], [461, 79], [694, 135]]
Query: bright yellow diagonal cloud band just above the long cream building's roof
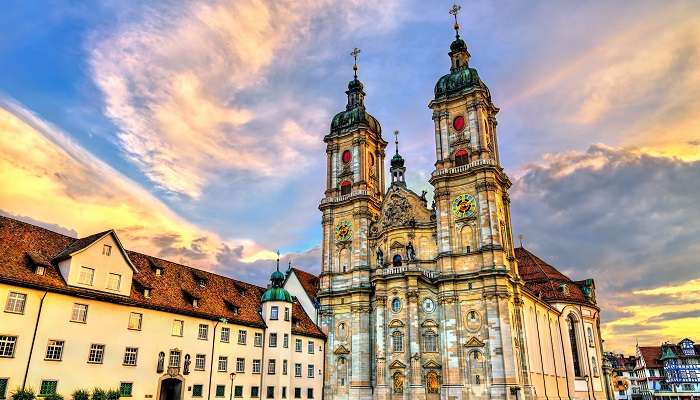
[[40, 162]]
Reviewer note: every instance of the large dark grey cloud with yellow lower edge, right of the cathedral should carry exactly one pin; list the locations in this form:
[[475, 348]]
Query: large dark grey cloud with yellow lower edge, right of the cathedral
[[626, 218]]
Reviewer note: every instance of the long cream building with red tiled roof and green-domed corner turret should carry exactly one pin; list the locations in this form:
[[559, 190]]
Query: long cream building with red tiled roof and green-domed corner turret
[[85, 313]]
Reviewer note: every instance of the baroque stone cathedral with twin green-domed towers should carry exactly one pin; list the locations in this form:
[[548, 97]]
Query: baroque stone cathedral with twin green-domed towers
[[434, 301]]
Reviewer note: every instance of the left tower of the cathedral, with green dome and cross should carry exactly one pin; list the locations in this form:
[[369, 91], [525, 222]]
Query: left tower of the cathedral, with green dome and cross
[[353, 197]]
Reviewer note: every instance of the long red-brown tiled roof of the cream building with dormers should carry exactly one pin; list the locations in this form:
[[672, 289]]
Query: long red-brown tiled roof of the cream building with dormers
[[23, 245]]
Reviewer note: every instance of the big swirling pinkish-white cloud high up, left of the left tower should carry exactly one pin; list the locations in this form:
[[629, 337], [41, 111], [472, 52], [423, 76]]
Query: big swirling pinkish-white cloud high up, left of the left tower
[[194, 92]]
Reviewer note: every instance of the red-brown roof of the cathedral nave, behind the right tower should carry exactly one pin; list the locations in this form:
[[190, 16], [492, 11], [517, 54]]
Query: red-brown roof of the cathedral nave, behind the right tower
[[544, 281]]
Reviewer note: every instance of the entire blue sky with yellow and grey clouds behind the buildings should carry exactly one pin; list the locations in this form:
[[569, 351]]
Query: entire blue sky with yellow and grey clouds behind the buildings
[[195, 129]]
